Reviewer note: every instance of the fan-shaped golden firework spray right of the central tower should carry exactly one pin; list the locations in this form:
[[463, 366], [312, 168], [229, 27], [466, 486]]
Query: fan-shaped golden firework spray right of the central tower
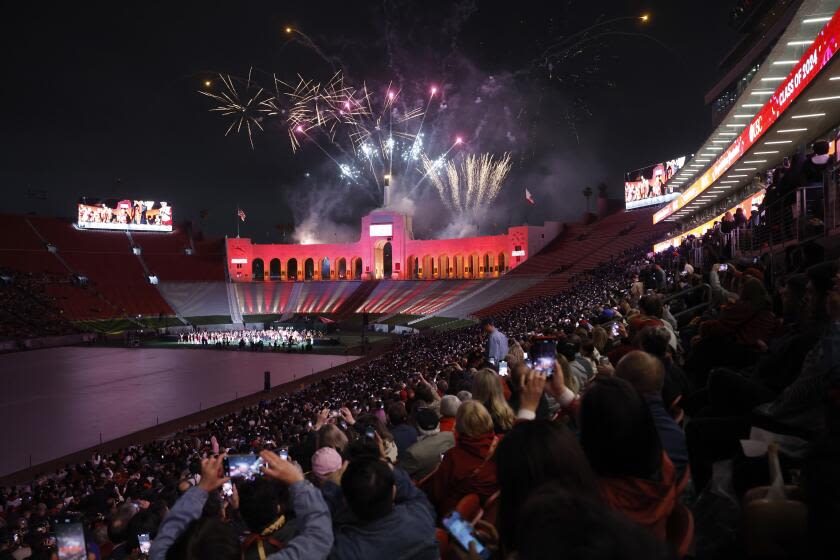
[[470, 184]]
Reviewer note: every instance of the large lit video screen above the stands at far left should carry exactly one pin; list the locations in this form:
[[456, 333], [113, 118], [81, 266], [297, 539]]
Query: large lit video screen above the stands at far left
[[134, 215]]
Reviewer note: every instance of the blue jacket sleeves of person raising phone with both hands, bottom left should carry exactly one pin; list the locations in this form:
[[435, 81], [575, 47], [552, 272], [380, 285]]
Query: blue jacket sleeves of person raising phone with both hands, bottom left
[[313, 542]]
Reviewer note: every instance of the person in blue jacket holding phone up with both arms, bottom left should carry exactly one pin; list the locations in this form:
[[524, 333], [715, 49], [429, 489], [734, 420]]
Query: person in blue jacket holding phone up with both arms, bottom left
[[315, 535]]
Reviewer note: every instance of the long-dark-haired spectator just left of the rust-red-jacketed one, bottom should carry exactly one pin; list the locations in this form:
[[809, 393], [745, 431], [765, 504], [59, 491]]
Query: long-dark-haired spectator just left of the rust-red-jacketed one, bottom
[[533, 454]]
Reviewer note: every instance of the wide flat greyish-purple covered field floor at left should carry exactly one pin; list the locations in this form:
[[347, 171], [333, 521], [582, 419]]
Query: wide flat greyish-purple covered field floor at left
[[57, 401]]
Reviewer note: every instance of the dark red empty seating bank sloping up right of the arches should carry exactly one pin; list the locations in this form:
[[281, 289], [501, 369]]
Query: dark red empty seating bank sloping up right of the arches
[[582, 248]]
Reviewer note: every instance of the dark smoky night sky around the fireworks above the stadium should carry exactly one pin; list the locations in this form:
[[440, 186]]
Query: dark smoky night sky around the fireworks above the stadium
[[100, 100]]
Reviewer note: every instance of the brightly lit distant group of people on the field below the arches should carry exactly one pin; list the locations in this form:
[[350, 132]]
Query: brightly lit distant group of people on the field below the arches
[[275, 338]]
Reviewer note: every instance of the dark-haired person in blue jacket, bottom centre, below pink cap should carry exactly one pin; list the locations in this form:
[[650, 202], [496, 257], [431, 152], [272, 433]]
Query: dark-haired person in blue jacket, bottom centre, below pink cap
[[395, 520]]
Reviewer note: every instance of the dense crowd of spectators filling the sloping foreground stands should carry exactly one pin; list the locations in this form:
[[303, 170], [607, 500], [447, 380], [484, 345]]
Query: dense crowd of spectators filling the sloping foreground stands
[[587, 424]]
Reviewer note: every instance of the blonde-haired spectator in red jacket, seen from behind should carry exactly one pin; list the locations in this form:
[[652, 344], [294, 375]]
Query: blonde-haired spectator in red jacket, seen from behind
[[467, 468]]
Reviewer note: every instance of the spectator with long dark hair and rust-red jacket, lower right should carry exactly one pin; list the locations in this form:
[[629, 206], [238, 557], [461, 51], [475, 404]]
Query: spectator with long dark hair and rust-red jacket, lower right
[[620, 439]]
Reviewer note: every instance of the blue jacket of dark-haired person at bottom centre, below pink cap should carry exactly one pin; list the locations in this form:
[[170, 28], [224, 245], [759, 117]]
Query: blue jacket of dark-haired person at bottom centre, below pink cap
[[407, 533]]
